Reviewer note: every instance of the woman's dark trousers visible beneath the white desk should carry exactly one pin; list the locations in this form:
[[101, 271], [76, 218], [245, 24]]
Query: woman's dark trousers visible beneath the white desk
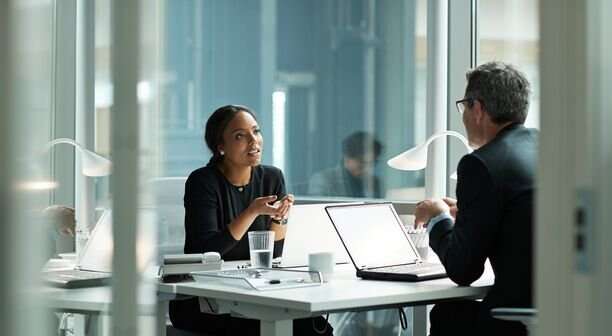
[[186, 315]]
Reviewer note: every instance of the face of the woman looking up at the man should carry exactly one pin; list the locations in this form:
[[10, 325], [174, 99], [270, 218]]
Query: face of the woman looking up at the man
[[242, 141]]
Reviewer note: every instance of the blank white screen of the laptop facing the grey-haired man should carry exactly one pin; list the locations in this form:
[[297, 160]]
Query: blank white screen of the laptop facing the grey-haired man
[[373, 235]]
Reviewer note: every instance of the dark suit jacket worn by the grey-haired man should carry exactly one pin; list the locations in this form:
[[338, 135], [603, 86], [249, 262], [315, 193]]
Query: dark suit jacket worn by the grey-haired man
[[495, 192]]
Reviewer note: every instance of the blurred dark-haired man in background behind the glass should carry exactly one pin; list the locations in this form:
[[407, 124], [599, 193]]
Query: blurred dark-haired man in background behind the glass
[[355, 176]]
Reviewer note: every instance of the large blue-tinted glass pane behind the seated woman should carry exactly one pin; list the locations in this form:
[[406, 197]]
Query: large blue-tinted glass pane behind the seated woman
[[315, 72]]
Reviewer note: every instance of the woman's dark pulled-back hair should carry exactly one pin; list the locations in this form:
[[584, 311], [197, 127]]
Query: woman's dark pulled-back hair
[[215, 126]]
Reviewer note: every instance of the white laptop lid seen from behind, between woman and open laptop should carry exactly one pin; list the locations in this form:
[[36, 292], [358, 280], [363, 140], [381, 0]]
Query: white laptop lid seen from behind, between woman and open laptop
[[309, 230]]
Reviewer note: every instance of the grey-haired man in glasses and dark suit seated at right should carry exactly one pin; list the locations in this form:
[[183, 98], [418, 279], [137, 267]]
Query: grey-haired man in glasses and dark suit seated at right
[[493, 214]]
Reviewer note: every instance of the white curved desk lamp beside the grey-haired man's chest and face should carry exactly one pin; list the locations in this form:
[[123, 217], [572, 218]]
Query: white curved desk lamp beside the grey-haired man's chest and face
[[416, 157]]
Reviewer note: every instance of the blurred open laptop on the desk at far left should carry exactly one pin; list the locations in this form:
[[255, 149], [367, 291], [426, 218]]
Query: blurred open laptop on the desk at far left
[[94, 268]]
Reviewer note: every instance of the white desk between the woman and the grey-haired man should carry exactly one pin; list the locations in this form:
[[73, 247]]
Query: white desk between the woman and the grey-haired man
[[345, 292]]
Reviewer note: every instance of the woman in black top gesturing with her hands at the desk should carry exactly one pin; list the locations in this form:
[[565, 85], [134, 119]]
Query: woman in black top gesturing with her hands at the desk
[[224, 200]]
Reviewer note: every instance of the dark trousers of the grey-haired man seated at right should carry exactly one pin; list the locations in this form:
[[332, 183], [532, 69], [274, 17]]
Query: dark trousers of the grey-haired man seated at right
[[470, 318]]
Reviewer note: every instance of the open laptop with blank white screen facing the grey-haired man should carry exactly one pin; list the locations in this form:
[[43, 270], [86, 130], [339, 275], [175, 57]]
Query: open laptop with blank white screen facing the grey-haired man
[[378, 244]]
